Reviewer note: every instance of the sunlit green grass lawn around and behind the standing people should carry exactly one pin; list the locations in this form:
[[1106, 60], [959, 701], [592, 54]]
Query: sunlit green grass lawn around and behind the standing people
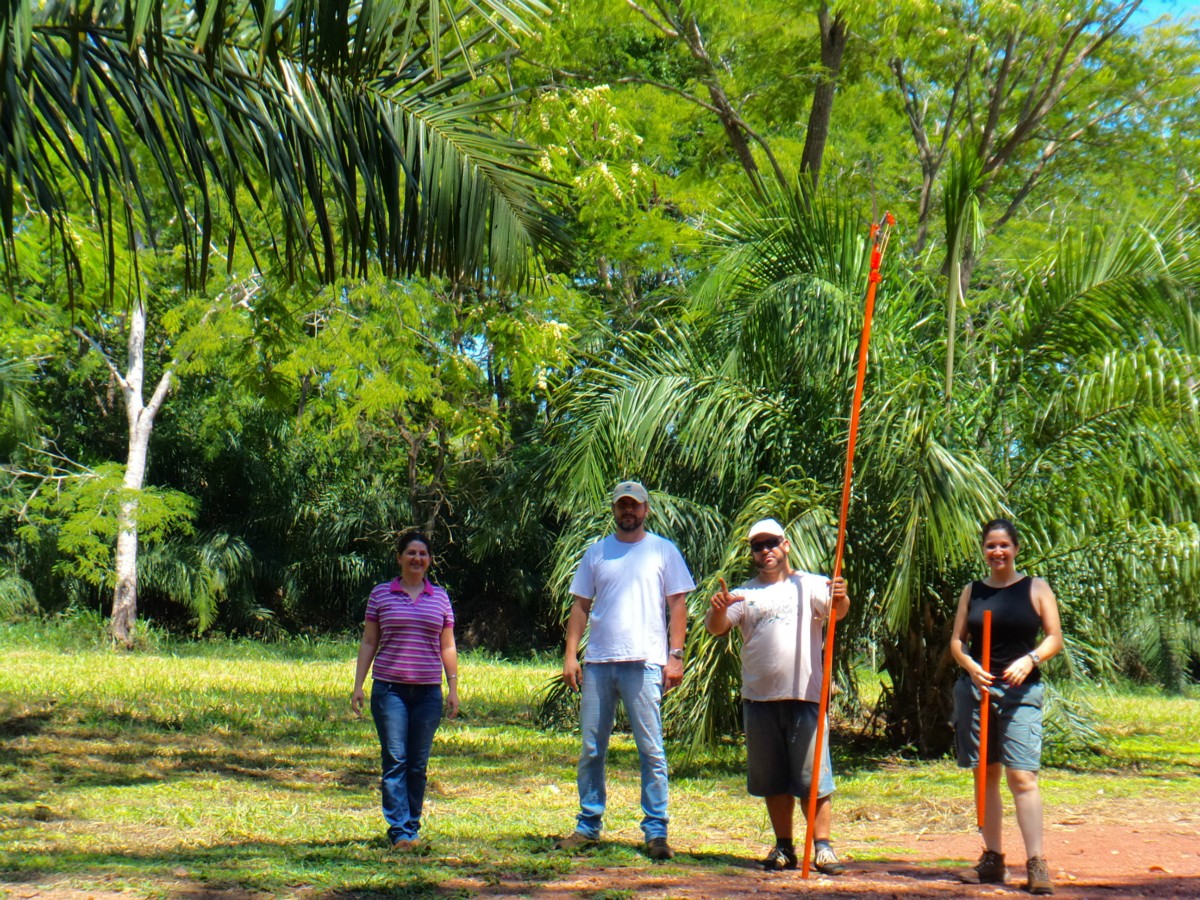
[[190, 766]]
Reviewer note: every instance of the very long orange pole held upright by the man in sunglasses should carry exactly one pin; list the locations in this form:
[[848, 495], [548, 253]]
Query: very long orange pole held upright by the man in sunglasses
[[880, 235]]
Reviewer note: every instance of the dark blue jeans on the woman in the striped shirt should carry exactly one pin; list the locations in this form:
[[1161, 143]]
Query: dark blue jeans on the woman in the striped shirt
[[406, 717]]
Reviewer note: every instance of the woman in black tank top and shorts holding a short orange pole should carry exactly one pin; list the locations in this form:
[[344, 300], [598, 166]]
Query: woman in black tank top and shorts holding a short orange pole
[[1022, 607]]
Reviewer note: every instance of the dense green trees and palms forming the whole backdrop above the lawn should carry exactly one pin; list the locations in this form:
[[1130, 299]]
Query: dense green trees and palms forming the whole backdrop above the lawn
[[464, 266]]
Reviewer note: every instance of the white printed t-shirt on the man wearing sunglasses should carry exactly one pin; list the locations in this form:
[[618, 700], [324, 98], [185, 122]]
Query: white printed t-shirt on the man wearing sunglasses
[[782, 635]]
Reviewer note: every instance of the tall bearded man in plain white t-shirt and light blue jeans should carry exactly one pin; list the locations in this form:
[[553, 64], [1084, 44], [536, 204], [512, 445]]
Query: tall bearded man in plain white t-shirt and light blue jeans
[[627, 583]]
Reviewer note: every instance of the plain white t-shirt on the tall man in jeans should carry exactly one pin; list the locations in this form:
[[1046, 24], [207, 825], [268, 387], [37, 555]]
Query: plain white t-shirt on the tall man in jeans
[[628, 585]]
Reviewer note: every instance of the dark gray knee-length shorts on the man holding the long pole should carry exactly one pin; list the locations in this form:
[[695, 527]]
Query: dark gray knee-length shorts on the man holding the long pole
[[781, 735]]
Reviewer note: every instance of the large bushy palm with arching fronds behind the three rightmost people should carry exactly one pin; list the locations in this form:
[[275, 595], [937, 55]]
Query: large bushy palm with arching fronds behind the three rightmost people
[[1067, 393]]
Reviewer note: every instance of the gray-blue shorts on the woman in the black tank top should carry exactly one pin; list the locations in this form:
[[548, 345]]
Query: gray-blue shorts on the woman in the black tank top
[[1015, 725]]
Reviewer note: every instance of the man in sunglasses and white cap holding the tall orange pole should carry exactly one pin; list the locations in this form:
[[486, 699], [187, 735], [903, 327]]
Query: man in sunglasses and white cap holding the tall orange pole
[[781, 614]]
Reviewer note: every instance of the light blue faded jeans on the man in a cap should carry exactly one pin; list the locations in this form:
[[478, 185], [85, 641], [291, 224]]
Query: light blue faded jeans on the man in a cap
[[640, 688]]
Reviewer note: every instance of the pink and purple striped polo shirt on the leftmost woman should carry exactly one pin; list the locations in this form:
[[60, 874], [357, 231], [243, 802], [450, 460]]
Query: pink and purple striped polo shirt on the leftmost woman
[[410, 633]]
